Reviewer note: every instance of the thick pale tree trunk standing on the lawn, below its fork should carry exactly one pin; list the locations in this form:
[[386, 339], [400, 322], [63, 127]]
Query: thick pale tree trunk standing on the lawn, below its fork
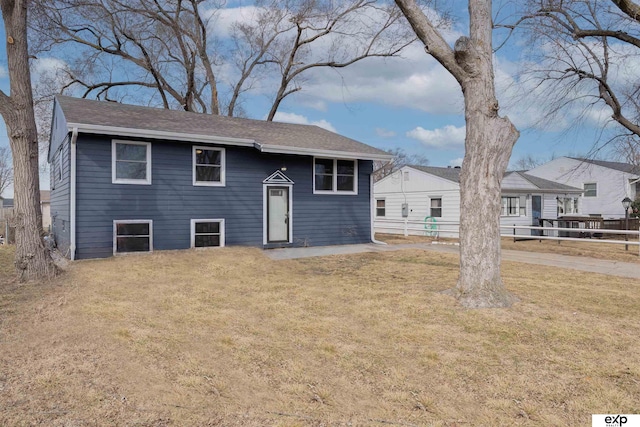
[[488, 148]]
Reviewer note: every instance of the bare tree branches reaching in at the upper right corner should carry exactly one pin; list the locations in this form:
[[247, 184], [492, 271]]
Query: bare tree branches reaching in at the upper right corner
[[587, 54]]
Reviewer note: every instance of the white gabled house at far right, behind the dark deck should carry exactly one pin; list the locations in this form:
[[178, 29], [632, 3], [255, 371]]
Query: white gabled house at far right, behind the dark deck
[[605, 184]]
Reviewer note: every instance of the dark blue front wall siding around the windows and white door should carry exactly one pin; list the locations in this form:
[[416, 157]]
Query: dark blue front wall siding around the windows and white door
[[171, 201]]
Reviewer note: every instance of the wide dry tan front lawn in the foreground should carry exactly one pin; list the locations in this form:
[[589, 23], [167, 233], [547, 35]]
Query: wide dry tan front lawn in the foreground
[[228, 337]]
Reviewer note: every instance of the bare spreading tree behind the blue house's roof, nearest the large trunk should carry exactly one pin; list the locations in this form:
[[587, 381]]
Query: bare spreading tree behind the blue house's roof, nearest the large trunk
[[351, 31]]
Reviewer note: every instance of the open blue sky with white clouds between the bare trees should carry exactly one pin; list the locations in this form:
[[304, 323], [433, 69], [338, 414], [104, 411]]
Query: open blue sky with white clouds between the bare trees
[[413, 104]]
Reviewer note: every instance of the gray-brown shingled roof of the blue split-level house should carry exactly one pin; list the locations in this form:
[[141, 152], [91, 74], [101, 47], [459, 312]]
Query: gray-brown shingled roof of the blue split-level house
[[286, 135]]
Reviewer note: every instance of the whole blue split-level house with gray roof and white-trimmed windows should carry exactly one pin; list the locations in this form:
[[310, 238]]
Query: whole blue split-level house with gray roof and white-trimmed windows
[[127, 178]]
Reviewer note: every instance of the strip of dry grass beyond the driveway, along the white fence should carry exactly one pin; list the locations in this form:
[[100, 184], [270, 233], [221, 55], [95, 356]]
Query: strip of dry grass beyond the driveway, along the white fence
[[585, 248]]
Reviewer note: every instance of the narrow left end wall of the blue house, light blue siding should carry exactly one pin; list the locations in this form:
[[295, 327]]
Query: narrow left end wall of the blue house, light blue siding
[[60, 191]]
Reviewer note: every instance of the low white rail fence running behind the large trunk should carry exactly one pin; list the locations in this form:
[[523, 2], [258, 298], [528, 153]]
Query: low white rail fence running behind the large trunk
[[449, 229]]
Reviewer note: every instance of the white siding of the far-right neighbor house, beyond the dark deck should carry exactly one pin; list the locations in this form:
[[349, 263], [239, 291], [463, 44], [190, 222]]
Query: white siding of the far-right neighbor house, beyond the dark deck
[[612, 185]]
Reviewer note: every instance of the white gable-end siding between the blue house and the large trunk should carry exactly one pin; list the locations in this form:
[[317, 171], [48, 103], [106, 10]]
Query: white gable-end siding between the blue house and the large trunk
[[418, 192]]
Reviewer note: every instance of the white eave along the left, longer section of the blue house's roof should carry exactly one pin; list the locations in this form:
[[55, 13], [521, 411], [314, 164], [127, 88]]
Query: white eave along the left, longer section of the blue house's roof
[[159, 134]]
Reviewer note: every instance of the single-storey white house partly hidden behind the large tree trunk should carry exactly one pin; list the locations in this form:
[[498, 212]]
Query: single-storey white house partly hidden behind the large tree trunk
[[431, 196]]
